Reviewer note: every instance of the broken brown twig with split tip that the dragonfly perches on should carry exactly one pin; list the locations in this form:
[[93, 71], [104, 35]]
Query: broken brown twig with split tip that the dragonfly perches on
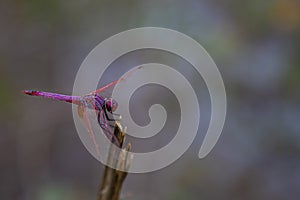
[[113, 179]]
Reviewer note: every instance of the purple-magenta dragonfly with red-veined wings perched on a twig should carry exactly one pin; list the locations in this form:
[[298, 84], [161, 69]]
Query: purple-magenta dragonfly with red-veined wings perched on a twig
[[103, 107]]
